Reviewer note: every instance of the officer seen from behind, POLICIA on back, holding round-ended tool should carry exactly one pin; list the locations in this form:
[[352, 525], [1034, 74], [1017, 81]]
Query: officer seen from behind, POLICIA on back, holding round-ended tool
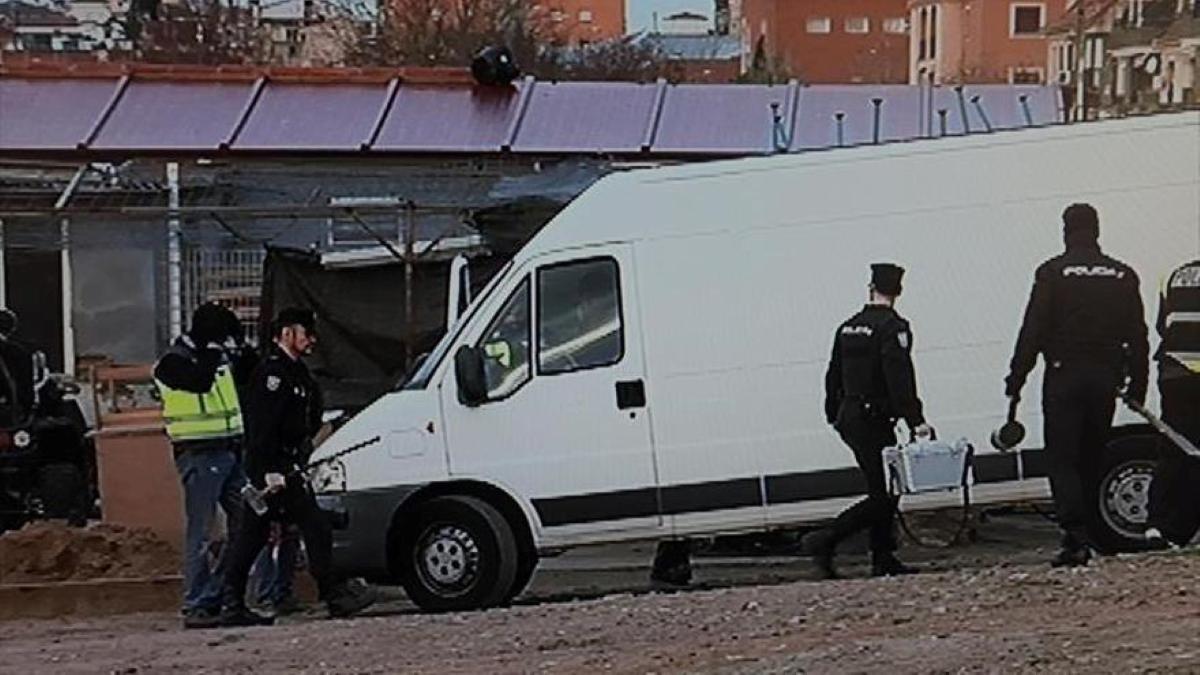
[[1085, 318]]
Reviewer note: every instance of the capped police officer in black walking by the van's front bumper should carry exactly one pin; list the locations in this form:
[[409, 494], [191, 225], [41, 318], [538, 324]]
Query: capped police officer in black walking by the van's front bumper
[[281, 419]]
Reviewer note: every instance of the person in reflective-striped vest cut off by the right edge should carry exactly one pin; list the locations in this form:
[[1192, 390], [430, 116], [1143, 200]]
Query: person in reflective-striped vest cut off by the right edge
[[1174, 512]]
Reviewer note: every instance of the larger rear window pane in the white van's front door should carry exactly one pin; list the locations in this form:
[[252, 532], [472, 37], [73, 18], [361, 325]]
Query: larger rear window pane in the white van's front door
[[579, 316]]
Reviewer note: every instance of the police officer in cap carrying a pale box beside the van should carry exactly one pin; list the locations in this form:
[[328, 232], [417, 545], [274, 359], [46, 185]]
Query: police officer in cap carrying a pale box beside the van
[[869, 385]]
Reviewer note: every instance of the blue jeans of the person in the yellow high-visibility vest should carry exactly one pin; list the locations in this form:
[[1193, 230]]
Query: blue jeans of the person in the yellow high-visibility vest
[[211, 477]]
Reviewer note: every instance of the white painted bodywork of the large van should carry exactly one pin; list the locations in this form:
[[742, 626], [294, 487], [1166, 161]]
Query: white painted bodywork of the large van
[[735, 276]]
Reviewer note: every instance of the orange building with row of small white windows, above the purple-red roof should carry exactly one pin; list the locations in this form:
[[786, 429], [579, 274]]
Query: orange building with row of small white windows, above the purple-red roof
[[827, 41]]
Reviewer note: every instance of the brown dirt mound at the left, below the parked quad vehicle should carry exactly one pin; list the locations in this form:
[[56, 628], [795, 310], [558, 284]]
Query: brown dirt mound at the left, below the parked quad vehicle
[[52, 552]]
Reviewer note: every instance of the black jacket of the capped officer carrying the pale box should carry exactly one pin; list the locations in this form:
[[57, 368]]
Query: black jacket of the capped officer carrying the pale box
[[872, 367]]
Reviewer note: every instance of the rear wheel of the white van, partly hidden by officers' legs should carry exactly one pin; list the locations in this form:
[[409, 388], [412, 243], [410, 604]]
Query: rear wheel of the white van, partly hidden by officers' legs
[[1120, 500]]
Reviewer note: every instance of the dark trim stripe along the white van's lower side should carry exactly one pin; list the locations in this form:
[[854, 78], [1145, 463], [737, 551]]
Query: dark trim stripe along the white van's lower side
[[741, 493]]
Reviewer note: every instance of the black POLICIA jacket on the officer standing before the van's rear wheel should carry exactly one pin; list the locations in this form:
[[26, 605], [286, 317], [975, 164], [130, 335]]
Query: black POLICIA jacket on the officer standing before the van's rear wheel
[[1085, 308]]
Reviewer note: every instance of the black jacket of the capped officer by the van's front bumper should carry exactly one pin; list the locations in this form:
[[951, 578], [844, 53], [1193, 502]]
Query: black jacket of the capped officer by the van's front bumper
[[284, 409]]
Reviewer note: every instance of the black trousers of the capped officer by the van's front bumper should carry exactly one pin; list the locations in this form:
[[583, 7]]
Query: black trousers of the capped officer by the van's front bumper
[[296, 505]]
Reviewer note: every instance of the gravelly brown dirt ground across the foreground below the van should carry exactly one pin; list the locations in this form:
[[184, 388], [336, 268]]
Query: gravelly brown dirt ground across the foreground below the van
[[993, 607]]
